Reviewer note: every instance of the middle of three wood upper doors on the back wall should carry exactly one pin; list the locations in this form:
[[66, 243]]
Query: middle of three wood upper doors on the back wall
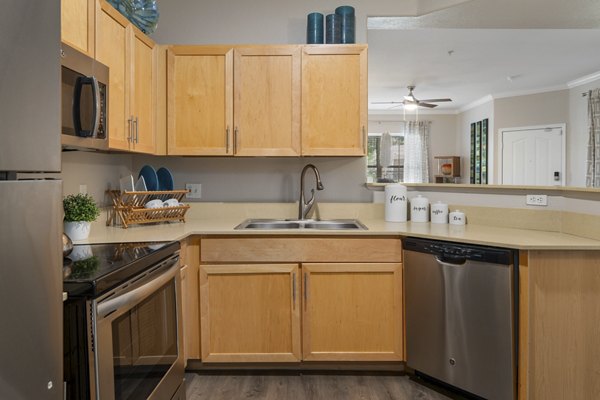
[[267, 100]]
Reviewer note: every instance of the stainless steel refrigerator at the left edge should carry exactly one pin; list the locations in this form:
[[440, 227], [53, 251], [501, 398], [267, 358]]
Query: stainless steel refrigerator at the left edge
[[30, 203]]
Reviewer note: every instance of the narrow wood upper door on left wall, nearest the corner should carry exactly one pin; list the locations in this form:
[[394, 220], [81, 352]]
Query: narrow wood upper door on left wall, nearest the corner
[[143, 92]]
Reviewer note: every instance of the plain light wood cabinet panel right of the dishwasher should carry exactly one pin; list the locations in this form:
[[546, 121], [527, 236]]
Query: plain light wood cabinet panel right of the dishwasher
[[560, 325]]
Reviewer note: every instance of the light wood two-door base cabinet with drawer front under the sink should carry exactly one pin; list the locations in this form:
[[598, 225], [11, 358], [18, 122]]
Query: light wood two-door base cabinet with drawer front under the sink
[[252, 309]]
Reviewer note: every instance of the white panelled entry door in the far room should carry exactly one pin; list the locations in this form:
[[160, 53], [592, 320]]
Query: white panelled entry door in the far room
[[532, 156]]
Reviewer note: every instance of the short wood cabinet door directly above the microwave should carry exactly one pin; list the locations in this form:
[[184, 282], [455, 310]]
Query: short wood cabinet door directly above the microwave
[[77, 24]]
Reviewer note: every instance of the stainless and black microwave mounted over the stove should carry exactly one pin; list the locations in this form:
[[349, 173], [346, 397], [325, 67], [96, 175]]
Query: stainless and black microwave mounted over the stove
[[84, 100]]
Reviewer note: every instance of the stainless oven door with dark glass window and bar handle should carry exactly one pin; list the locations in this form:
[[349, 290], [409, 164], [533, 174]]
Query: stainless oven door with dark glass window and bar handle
[[138, 349]]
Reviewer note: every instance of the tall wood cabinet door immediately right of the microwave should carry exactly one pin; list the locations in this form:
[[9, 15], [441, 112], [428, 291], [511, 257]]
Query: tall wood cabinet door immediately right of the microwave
[[111, 50]]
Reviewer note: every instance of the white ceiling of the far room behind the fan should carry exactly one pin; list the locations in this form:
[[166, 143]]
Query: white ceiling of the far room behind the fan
[[469, 64]]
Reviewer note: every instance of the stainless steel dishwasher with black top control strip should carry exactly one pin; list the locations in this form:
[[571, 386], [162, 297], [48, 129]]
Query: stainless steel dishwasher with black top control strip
[[461, 310]]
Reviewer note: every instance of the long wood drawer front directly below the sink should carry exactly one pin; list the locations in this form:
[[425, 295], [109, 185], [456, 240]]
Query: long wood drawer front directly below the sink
[[301, 249]]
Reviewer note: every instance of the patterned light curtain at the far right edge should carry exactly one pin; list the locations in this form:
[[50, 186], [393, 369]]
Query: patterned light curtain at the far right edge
[[592, 178]]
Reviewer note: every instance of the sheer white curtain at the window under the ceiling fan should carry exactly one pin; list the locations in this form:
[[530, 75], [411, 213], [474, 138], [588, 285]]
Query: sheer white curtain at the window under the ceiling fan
[[416, 151]]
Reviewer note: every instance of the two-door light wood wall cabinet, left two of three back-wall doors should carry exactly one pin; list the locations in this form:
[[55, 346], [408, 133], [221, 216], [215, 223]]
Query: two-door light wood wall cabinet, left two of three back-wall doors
[[208, 114]]
